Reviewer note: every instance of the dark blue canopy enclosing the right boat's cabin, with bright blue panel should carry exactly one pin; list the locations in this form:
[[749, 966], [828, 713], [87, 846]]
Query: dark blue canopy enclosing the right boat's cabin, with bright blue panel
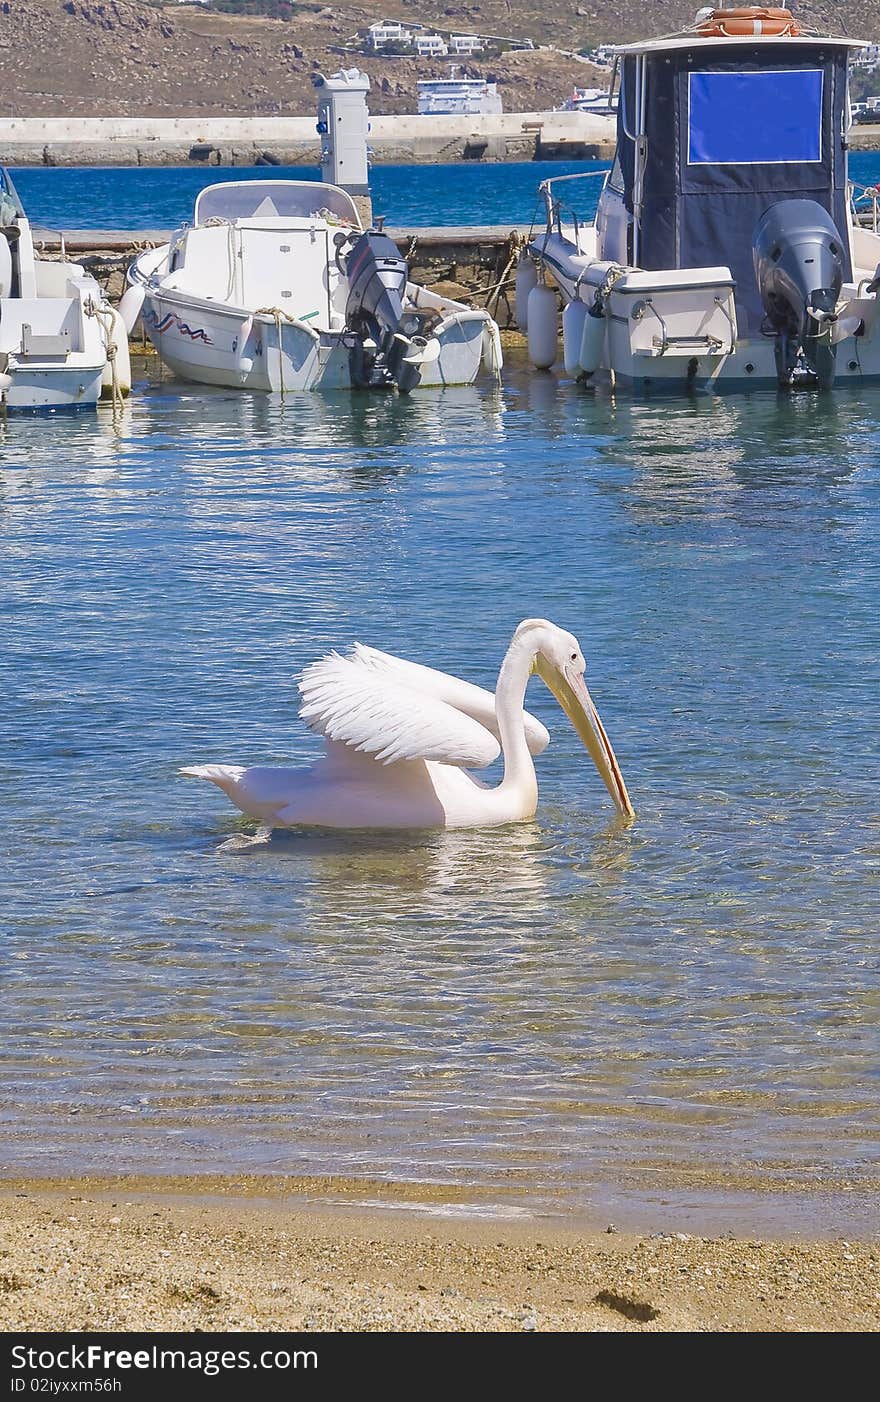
[[731, 130]]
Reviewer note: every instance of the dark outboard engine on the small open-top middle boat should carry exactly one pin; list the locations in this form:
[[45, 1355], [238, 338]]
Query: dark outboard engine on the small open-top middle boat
[[387, 346]]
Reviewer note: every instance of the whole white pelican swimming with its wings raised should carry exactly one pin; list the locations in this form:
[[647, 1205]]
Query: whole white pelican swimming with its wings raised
[[401, 741]]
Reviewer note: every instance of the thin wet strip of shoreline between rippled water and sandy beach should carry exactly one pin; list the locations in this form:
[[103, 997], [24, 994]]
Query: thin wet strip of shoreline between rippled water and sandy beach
[[773, 1204]]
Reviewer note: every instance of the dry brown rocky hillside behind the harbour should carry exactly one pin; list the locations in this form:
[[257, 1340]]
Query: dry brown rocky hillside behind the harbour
[[120, 58]]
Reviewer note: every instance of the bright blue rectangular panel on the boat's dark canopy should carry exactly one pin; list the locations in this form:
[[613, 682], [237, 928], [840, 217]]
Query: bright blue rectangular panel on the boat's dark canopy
[[755, 118]]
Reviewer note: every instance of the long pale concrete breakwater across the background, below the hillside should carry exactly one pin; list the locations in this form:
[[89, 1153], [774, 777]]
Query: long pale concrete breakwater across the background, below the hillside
[[294, 141]]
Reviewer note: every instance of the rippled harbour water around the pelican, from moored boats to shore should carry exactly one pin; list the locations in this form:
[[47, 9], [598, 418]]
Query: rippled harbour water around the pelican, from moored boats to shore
[[546, 1005]]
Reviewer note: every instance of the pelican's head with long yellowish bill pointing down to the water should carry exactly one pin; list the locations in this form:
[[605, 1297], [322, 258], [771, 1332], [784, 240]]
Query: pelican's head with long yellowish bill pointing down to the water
[[561, 665]]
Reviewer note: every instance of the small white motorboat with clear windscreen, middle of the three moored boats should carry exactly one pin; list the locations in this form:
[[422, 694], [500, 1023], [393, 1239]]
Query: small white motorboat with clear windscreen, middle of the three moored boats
[[277, 287]]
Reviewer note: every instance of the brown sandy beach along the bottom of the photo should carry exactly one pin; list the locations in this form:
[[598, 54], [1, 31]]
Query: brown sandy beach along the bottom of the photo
[[319, 1255]]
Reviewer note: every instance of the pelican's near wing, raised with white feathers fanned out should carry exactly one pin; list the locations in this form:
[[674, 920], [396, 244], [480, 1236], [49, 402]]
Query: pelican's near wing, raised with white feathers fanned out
[[355, 705]]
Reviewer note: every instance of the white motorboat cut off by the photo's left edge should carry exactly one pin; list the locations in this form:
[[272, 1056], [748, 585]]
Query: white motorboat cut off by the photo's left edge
[[62, 346]]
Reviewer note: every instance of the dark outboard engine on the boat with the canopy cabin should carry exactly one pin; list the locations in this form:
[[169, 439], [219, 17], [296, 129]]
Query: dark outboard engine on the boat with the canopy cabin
[[799, 267]]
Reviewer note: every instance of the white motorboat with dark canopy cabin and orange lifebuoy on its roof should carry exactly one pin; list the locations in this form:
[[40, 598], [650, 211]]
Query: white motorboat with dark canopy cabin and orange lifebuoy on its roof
[[729, 247]]
